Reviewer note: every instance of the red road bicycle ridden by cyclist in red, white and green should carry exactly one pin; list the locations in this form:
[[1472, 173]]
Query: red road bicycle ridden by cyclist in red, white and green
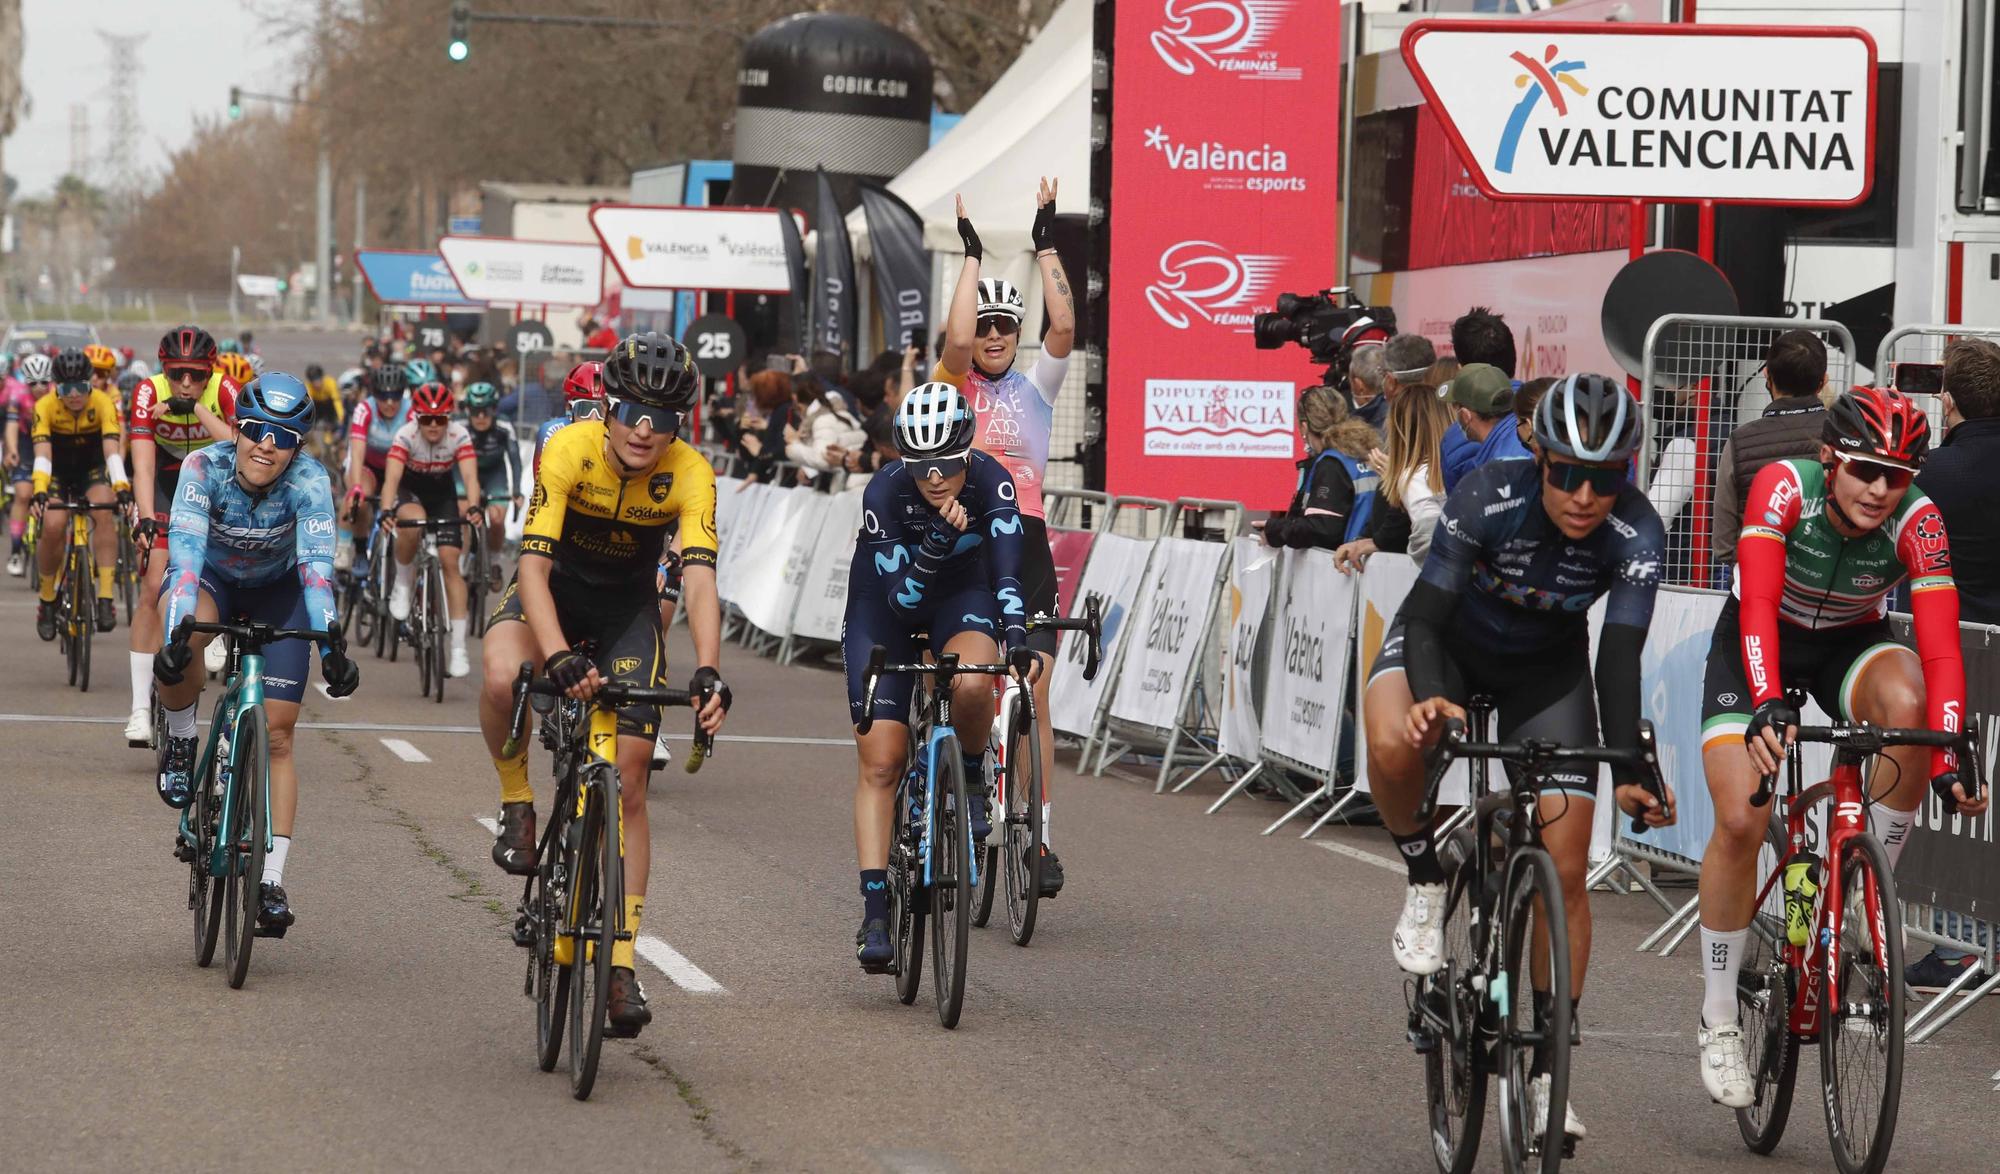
[[1825, 951]]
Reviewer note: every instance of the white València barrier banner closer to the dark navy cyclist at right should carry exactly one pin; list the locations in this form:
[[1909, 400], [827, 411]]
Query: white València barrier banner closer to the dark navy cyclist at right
[[1309, 651]]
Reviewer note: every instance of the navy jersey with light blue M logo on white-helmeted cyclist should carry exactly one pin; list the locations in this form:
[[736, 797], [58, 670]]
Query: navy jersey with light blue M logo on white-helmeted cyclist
[[907, 549]]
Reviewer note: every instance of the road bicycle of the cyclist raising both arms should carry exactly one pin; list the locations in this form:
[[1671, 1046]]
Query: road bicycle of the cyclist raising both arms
[[1015, 863]]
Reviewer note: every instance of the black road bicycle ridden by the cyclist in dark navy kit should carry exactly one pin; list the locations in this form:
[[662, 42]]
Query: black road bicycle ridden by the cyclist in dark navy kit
[[1505, 985]]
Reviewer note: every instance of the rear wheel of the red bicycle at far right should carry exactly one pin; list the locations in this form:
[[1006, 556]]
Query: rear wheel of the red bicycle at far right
[[1765, 989]]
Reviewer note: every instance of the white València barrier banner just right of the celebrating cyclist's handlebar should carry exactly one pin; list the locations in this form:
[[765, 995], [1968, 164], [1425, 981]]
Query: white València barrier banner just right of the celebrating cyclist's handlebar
[[1175, 605]]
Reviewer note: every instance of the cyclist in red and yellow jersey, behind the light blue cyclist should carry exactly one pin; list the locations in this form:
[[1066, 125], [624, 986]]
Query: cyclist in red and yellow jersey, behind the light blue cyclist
[[179, 411]]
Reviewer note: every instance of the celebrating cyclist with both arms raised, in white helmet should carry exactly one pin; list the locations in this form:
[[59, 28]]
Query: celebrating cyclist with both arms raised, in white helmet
[[1017, 413]]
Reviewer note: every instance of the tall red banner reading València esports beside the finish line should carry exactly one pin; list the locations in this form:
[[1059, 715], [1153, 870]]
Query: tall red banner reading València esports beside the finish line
[[1225, 181]]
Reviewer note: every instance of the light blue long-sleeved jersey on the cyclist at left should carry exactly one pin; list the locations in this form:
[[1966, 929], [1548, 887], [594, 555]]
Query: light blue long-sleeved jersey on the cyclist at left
[[223, 531]]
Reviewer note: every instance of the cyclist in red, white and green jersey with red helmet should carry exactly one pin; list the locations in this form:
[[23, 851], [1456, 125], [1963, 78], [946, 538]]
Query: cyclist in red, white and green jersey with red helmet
[[1823, 545]]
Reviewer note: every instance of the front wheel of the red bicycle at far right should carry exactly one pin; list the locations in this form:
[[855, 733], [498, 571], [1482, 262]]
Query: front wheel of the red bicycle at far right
[[1861, 1021]]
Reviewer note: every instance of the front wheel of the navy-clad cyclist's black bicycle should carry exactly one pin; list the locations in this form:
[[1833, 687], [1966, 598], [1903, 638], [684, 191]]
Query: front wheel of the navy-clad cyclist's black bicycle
[[1533, 907]]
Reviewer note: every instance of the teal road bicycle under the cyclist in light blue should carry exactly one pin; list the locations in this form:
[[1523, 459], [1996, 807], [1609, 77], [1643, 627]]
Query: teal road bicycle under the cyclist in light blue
[[225, 833]]
